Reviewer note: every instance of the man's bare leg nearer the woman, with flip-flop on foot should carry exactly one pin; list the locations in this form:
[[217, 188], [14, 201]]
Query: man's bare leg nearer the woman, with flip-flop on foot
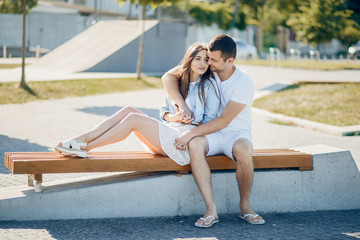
[[198, 147]]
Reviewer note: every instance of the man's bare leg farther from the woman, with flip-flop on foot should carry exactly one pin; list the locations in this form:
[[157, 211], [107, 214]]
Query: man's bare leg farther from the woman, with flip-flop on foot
[[242, 151]]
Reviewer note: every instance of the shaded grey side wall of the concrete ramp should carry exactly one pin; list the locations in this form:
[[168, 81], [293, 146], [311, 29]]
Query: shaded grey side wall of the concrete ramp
[[164, 49]]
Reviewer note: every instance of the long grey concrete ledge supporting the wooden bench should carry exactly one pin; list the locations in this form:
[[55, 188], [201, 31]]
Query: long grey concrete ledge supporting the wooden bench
[[334, 184]]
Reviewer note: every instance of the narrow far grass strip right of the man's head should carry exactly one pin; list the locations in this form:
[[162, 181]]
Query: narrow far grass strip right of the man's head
[[306, 64]]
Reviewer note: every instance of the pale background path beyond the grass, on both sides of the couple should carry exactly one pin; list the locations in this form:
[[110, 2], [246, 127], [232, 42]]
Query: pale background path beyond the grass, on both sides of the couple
[[265, 78]]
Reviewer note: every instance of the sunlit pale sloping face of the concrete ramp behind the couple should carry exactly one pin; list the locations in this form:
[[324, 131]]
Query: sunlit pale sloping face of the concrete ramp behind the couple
[[93, 45]]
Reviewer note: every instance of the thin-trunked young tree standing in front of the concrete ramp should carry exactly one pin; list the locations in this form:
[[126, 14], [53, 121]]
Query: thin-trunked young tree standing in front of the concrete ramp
[[153, 4]]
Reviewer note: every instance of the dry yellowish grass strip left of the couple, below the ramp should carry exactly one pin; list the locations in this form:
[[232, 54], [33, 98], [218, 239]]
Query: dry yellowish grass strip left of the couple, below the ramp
[[10, 93]]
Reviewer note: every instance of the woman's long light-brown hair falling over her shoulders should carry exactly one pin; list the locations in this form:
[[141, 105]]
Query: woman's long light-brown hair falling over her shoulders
[[183, 72]]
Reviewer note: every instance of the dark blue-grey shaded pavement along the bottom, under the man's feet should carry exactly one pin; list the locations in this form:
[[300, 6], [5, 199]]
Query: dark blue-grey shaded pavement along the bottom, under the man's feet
[[306, 225]]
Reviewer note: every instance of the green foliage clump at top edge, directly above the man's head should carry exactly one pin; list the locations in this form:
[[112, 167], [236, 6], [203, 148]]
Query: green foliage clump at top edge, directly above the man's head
[[218, 12]]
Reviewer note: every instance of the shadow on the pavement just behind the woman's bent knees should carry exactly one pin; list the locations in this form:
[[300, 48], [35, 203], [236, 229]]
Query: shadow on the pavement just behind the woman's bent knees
[[108, 111]]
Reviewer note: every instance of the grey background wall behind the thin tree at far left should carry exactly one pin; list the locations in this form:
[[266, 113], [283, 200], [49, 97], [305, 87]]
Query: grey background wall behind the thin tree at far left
[[44, 29]]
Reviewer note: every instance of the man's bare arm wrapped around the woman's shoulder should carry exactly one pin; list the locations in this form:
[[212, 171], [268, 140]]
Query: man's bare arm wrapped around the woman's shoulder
[[171, 84]]
